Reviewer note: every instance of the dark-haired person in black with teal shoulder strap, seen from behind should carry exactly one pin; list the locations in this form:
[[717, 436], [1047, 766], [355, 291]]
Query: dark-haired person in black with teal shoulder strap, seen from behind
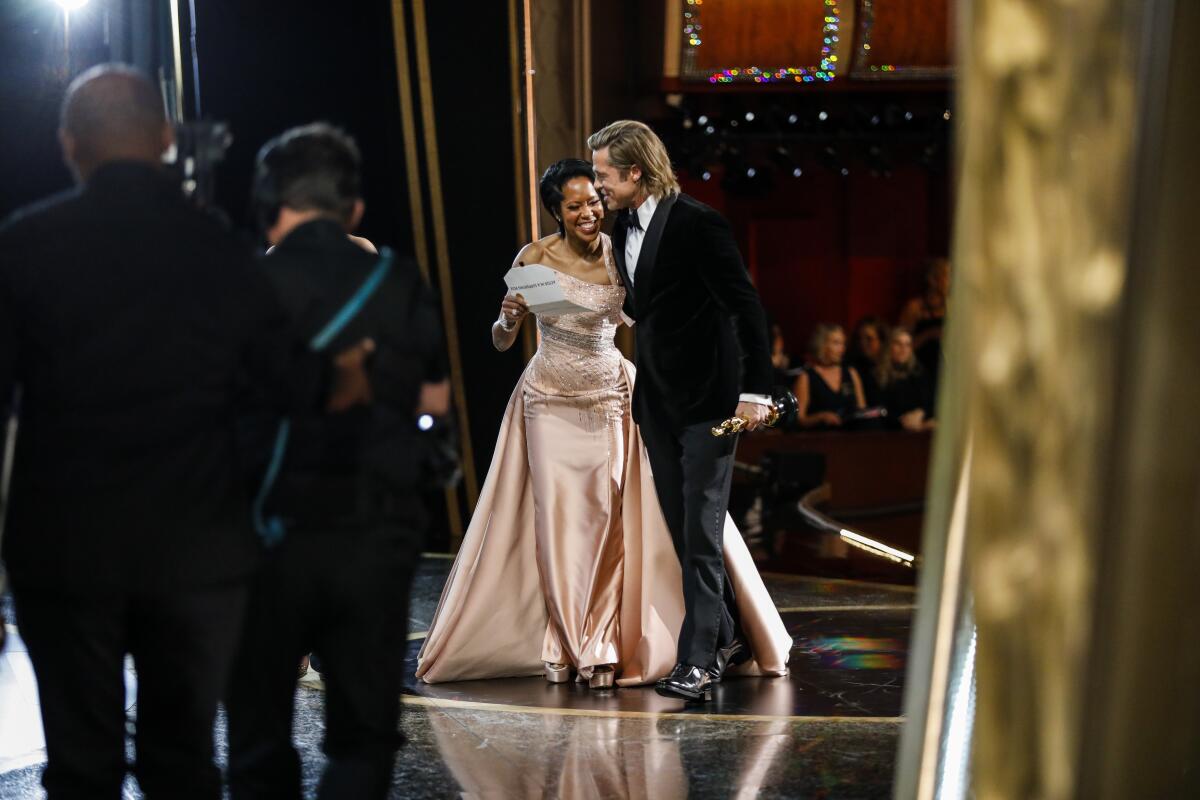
[[344, 506]]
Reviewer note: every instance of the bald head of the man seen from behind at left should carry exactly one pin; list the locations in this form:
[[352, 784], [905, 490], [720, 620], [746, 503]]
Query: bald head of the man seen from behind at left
[[112, 113]]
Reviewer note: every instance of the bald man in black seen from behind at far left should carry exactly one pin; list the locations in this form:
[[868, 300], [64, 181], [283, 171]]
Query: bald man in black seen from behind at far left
[[130, 320]]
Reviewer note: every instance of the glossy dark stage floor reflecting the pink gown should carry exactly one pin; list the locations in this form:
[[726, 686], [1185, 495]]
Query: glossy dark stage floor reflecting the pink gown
[[830, 730]]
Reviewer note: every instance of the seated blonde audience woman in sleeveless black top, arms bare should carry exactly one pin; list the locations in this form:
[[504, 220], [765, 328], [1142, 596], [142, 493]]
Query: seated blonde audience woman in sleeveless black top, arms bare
[[830, 393]]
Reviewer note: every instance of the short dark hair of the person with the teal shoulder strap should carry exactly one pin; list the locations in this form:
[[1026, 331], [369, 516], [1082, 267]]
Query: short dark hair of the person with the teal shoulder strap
[[309, 169]]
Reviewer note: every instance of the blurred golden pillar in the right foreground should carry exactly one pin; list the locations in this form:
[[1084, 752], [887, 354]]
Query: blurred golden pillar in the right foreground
[[1072, 371]]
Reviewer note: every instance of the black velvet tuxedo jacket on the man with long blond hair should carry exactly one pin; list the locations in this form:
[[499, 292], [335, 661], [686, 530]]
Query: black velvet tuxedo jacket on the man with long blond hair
[[701, 332]]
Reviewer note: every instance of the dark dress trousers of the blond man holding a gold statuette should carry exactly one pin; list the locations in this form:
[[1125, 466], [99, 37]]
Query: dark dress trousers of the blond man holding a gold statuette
[[693, 471]]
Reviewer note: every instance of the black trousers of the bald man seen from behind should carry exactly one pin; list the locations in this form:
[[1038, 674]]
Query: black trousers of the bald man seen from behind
[[182, 643]]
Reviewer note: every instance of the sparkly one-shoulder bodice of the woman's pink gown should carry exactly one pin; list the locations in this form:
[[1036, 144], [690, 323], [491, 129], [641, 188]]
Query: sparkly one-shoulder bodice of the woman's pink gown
[[578, 353]]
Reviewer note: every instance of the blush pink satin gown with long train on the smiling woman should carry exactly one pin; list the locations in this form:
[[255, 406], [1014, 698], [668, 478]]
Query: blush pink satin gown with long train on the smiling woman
[[568, 558]]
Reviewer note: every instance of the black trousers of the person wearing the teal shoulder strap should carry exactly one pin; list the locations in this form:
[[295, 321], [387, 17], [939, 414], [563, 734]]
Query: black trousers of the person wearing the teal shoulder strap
[[343, 596]]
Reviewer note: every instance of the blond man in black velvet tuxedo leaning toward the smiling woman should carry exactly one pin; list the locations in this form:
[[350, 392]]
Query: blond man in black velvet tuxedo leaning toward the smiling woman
[[703, 356]]
